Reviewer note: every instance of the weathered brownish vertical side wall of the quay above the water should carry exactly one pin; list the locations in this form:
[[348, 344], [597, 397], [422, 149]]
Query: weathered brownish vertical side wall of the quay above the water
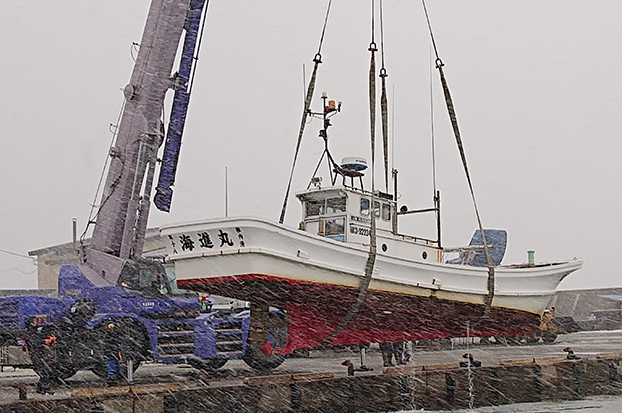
[[427, 387]]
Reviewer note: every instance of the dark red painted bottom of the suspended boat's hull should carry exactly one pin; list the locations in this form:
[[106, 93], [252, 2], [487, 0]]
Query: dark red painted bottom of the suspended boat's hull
[[316, 310]]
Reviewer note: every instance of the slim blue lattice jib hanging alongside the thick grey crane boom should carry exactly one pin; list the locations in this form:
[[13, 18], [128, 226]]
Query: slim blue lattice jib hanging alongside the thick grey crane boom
[[170, 156]]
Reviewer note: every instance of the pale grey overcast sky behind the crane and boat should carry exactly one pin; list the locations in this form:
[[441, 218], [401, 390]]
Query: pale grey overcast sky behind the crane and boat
[[536, 86]]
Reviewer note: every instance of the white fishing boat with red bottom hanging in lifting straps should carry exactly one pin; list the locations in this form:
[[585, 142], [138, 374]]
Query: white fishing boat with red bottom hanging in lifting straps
[[347, 275]]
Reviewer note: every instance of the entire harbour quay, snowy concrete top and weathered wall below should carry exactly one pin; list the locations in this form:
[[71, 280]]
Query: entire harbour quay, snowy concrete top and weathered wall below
[[433, 380]]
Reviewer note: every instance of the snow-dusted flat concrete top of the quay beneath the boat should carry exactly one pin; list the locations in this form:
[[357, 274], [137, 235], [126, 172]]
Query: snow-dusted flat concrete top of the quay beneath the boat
[[153, 378]]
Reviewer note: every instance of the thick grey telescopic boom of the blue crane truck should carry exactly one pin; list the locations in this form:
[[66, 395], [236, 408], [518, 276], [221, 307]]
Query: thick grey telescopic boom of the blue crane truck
[[122, 218]]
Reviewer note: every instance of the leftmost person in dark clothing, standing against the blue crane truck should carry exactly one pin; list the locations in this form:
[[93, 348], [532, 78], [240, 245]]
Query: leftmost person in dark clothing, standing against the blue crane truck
[[41, 348]]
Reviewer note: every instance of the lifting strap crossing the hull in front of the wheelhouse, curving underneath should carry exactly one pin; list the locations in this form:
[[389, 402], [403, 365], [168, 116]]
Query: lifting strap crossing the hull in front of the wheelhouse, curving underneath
[[371, 258]]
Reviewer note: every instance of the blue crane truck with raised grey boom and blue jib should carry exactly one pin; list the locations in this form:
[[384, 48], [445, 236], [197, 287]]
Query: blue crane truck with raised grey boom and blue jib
[[112, 282]]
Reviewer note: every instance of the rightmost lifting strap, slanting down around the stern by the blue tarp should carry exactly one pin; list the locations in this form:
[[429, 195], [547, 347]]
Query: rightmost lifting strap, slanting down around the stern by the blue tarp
[[454, 124]]
